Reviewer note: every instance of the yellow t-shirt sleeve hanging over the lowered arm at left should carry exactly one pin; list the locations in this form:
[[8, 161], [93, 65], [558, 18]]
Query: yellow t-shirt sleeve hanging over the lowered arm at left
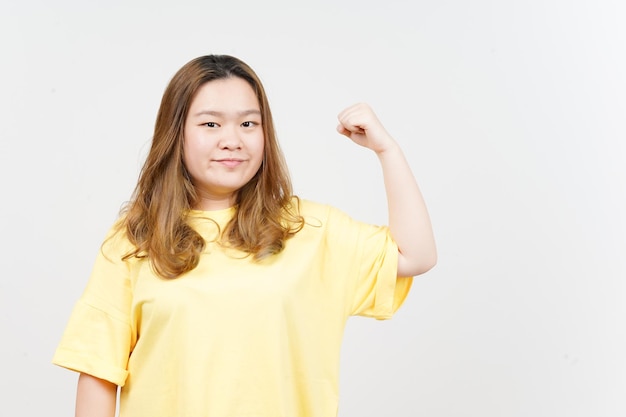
[[98, 337]]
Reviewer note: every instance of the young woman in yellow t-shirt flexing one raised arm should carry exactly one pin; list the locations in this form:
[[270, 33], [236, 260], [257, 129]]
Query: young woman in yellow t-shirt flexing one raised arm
[[220, 294]]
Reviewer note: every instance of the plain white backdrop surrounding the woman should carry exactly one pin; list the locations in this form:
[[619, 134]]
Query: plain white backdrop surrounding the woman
[[511, 113]]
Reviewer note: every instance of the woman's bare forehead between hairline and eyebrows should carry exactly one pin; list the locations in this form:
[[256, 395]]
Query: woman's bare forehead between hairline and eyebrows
[[225, 94]]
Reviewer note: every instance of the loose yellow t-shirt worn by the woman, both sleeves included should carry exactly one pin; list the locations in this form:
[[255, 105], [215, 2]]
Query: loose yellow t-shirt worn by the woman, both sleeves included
[[234, 337]]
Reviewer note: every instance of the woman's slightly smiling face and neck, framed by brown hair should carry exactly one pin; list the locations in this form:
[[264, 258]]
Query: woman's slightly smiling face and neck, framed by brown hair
[[223, 141]]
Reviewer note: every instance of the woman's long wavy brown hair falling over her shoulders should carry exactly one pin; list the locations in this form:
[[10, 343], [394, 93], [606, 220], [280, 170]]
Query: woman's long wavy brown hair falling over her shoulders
[[155, 218]]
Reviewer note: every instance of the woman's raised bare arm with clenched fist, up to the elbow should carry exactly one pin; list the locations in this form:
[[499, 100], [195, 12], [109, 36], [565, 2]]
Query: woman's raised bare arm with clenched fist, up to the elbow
[[409, 221]]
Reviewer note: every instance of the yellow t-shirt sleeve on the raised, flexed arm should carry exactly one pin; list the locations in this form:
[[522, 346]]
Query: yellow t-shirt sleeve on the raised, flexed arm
[[369, 259]]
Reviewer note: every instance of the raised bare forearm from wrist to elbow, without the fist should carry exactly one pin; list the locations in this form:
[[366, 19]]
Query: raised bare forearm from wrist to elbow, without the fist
[[409, 221]]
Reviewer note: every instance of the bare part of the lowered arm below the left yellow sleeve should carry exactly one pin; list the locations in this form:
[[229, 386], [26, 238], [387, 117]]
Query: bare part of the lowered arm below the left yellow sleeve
[[95, 397]]
